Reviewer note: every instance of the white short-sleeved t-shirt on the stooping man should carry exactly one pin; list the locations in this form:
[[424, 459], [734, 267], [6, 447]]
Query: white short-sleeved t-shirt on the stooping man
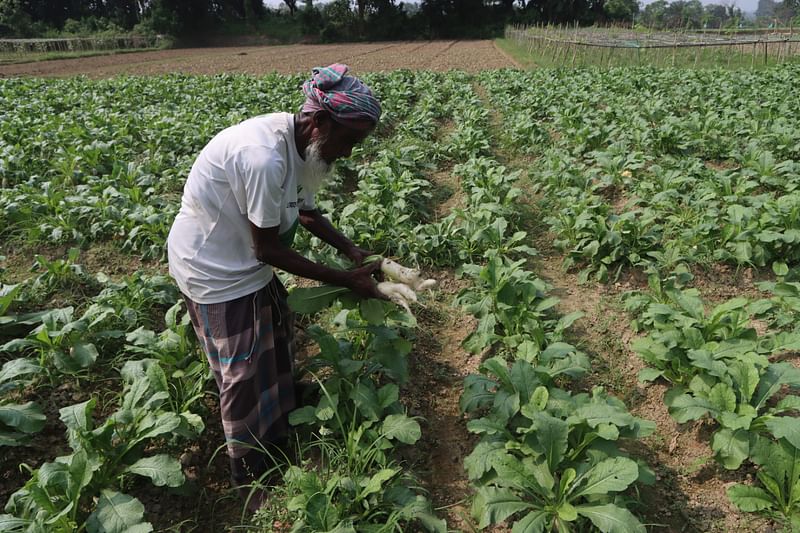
[[246, 173]]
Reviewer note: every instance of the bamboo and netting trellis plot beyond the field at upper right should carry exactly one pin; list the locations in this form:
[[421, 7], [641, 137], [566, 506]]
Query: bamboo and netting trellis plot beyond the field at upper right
[[573, 45]]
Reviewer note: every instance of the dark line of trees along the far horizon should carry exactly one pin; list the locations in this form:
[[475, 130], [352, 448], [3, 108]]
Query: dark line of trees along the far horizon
[[339, 20]]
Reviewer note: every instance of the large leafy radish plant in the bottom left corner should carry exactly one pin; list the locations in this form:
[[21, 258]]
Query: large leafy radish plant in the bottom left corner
[[57, 496]]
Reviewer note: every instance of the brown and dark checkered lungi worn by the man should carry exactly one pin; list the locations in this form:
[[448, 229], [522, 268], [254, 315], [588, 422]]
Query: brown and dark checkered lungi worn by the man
[[249, 343]]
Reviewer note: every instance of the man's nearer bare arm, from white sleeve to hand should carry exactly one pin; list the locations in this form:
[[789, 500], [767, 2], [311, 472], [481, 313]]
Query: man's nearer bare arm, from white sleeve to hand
[[268, 249]]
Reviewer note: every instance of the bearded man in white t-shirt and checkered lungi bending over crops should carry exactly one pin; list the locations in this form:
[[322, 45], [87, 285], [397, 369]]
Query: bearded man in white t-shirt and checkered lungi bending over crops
[[246, 193]]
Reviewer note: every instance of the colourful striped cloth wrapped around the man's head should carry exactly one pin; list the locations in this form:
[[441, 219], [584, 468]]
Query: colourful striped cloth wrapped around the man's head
[[346, 98]]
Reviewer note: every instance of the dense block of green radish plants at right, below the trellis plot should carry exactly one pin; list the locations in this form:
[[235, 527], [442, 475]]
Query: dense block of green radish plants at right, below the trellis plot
[[655, 168]]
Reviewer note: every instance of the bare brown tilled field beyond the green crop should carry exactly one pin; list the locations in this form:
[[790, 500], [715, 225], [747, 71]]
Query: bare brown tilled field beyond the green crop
[[469, 56]]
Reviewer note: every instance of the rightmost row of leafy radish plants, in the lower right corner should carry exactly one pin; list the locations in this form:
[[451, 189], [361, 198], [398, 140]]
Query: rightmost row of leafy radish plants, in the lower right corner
[[721, 368]]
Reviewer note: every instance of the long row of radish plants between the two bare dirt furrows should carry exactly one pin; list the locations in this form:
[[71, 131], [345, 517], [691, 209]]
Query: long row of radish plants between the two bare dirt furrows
[[547, 459]]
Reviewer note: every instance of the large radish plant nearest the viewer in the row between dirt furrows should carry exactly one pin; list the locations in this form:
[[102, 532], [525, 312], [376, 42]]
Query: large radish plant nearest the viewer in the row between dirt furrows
[[556, 466]]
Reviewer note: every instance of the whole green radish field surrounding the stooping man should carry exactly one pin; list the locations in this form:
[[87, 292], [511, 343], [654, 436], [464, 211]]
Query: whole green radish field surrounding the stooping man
[[634, 178]]
